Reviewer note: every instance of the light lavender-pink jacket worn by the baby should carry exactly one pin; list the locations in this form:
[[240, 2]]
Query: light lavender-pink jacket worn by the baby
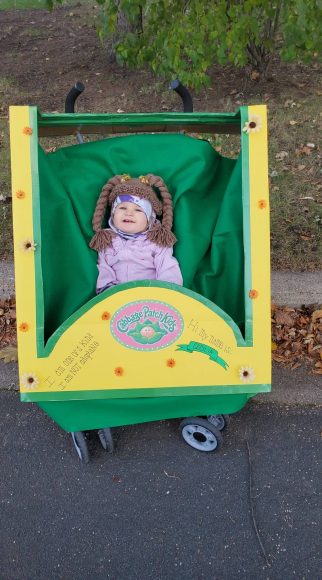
[[136, 259]]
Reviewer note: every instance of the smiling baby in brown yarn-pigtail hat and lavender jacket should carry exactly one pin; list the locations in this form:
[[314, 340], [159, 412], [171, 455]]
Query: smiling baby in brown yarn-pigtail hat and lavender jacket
[[136, 246]]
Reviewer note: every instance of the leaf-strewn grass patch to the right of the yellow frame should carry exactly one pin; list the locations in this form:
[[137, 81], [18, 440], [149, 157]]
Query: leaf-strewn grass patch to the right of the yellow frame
[[296, 211]]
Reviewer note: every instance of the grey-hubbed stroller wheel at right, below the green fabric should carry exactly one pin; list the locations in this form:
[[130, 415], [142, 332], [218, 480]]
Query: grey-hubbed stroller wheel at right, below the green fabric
[[201, 434]]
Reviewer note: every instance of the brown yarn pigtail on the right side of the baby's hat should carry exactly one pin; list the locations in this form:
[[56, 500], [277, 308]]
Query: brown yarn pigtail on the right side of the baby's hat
[[161, 233]]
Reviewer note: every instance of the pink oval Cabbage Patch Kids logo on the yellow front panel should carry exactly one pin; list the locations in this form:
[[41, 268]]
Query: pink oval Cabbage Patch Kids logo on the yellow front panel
[[147, 325]]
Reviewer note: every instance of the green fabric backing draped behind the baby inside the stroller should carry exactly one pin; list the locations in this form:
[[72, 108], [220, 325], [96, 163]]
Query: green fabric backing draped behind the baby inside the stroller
[[207, 197]]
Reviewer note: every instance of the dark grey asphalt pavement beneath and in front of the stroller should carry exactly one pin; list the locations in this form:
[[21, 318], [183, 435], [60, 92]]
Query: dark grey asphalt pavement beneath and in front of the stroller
[[158, 509]]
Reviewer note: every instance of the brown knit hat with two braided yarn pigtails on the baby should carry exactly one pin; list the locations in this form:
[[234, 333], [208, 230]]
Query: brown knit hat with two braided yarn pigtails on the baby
[[144, 187]]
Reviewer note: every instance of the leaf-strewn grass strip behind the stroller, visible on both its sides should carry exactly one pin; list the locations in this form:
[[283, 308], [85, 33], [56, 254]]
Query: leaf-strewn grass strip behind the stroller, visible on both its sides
[[294, 169]]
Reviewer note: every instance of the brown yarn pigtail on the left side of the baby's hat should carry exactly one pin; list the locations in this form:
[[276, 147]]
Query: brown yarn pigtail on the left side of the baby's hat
[[103, 238]]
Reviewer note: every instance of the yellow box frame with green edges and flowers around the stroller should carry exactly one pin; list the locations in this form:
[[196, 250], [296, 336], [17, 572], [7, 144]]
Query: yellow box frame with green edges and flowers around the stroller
[[59, 370]]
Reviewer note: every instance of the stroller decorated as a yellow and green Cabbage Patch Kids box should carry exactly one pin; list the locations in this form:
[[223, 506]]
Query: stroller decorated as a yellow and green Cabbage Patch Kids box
[[210, 349]]
